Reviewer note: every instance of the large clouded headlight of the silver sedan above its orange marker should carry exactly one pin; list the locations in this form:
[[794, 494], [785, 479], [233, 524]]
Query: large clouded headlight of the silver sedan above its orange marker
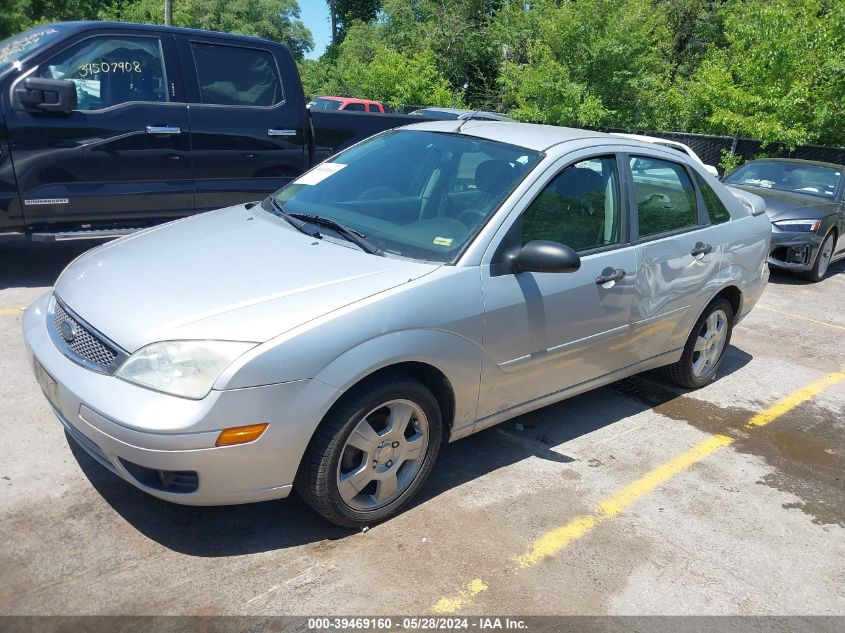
[[181, 368]]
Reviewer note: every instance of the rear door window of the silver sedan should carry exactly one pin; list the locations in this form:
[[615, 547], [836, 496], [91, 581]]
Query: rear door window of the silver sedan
[[665, 196]]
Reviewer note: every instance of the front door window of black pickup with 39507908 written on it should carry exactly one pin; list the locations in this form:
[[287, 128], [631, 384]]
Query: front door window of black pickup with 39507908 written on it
[[109, 71]]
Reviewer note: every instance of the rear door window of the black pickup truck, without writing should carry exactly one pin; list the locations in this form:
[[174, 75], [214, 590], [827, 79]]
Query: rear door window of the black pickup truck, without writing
[[234, 75]]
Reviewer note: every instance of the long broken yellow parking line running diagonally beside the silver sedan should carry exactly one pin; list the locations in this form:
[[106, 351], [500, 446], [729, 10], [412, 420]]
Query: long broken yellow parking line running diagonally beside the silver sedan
[[554, 541]]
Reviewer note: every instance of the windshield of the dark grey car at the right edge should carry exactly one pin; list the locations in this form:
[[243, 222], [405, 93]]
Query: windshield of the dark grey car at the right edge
[[783, 176]]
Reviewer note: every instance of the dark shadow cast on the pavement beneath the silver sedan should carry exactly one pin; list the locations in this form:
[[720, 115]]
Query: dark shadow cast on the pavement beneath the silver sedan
[[273, 525]]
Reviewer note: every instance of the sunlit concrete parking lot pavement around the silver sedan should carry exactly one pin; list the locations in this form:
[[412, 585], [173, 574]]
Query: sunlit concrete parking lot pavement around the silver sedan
[[636, 499]]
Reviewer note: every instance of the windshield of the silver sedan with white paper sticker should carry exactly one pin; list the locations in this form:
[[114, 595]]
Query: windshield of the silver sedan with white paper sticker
[[416, 194]]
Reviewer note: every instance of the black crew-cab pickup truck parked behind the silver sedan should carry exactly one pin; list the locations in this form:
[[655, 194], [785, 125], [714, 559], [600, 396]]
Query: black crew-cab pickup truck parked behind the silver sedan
[[108, 127]]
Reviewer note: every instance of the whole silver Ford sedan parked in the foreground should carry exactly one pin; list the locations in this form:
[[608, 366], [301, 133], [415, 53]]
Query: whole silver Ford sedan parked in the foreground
[[422, 285]]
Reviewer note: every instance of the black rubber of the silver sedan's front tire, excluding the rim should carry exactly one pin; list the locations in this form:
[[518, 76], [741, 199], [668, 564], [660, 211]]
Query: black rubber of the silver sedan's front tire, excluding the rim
[[317, 479]]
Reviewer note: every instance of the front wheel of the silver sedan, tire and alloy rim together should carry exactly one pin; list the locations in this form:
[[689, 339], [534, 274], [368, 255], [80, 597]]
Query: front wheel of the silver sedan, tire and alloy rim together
[[372, 452]]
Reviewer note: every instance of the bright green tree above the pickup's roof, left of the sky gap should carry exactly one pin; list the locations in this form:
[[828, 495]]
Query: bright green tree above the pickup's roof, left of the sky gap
[[274, 19]]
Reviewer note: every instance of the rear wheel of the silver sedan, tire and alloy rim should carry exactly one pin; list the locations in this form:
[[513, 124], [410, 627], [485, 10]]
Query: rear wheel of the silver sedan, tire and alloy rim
[[705, 348]]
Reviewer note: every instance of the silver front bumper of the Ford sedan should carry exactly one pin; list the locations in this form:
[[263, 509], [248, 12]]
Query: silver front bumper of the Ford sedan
[[164, 445]]
